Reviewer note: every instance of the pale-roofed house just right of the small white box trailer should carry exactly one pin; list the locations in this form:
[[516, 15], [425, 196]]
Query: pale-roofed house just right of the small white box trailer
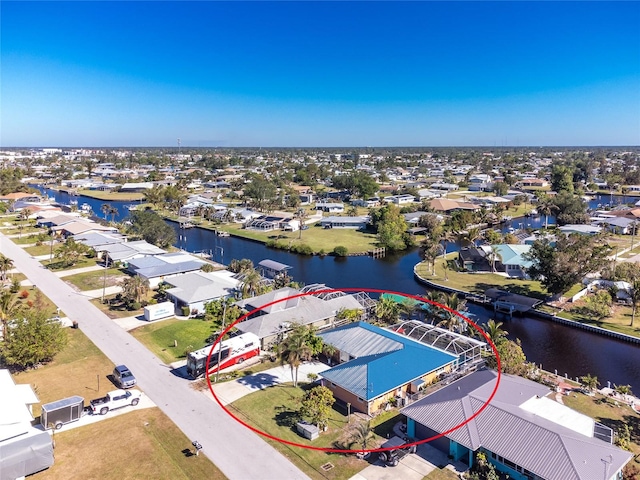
[[196, 289]]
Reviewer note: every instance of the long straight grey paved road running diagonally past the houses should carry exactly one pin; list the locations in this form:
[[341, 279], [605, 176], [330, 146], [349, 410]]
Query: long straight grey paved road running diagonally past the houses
[[238, 452]]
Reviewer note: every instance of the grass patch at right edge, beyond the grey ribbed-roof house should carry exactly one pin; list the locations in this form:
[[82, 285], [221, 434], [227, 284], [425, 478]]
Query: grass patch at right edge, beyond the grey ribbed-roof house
[[605, 411]]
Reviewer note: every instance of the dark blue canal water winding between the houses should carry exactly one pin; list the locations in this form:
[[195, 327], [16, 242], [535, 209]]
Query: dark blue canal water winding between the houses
[[555, 346]]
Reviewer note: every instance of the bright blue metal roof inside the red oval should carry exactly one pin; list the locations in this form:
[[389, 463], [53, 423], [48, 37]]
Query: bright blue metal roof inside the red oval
[[370, 376]]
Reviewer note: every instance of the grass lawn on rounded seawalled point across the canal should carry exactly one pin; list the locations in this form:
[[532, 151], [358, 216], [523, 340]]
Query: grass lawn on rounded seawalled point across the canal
[[479, 282]]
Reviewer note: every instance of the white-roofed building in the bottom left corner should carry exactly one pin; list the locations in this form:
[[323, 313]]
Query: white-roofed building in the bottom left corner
[[24, 449]]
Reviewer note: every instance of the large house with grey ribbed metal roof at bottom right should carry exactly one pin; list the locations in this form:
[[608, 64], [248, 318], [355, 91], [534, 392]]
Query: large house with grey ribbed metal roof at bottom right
[[523, 433]]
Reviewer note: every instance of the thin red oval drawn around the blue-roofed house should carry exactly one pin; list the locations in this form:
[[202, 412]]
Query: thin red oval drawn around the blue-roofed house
[[367, 290]]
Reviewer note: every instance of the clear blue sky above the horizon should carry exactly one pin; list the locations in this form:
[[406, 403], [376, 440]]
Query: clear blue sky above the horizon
[[319, 74]]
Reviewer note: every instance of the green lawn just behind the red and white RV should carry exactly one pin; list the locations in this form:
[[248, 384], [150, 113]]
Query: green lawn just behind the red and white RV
[[159, 337]]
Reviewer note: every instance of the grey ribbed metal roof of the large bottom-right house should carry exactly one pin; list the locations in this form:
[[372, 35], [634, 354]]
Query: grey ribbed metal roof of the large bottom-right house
[[548, 449]]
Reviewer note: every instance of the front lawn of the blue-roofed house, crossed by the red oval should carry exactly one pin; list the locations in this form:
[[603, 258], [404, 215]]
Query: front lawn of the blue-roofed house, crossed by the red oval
[[271, 410]]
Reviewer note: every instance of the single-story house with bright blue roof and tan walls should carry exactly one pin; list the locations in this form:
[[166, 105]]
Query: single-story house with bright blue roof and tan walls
[[377, 366]]
